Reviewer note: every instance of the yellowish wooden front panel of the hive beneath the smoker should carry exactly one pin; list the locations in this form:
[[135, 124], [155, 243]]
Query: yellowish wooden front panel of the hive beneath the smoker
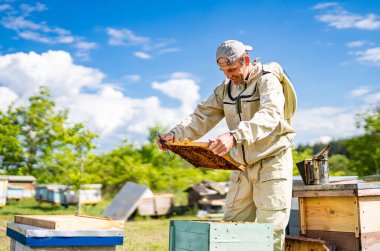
[[330, 214]]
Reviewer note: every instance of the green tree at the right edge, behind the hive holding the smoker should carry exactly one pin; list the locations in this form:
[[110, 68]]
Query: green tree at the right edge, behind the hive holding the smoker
[[364, 150]]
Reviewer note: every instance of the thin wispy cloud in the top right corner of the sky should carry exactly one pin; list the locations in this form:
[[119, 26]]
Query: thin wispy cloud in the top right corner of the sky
[[341, 19]]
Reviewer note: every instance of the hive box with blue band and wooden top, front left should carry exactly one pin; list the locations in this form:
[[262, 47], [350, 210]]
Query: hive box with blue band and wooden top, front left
[[64, 232]]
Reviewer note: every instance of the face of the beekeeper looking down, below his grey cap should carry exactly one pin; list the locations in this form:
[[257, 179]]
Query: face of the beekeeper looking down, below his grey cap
[[236, 72]]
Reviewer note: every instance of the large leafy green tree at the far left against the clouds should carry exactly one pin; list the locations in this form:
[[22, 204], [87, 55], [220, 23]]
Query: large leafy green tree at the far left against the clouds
[[36, 139]]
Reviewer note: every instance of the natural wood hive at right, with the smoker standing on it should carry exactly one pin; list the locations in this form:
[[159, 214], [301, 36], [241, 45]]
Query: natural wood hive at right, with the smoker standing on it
[[346, 213]]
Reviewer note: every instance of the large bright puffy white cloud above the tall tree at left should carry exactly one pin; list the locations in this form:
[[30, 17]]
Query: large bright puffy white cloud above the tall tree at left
[[24, 72]]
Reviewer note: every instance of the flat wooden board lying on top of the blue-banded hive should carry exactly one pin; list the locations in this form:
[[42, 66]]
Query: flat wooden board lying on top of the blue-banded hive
[[72, 222]]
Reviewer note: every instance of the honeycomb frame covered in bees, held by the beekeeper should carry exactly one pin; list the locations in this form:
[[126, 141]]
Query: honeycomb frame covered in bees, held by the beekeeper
[[199, 155]]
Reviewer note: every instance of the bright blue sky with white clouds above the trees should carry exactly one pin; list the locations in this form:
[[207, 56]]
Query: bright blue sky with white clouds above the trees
[[120, 67]]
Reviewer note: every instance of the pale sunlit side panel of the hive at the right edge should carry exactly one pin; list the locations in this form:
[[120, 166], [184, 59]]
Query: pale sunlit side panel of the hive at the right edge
[[369, 214]]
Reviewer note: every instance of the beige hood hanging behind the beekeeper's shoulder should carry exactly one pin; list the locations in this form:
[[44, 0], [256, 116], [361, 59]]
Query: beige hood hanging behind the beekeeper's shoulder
[[287, 87]]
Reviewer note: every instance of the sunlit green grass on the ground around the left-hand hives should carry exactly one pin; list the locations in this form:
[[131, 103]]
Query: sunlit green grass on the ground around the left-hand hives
[[141, 234]]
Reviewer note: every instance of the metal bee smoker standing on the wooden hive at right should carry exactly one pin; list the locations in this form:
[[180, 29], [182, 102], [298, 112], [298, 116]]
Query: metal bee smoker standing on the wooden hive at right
[[315, 171]]
